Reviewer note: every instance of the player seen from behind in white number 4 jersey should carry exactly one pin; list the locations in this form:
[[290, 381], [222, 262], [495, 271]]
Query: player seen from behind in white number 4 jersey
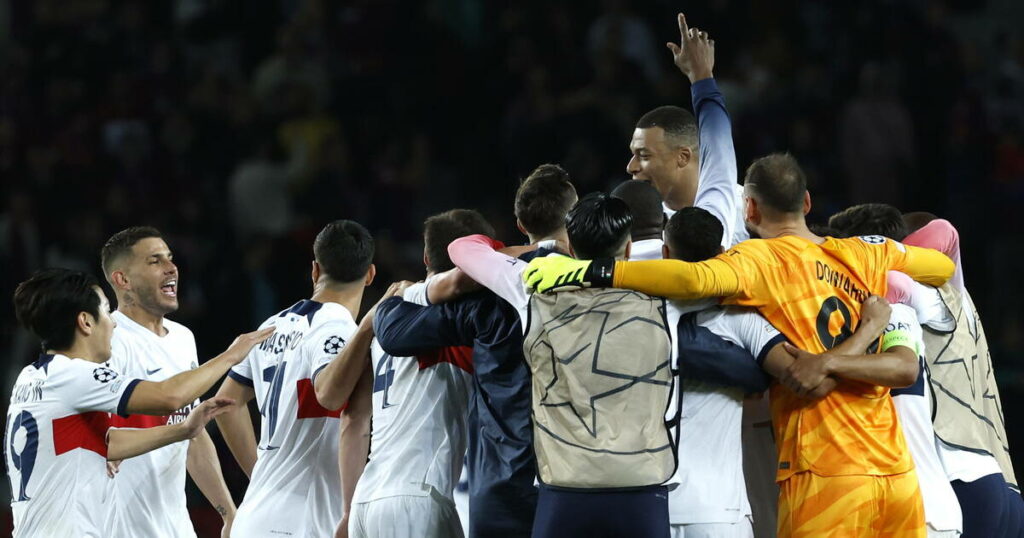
[[419, 407]]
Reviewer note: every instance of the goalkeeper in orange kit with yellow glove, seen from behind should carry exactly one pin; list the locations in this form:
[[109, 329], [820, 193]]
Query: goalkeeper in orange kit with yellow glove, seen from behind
[[844, 469]]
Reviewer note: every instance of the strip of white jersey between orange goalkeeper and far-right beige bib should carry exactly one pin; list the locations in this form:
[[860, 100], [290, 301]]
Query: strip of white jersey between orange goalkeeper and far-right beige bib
[[914, 405]]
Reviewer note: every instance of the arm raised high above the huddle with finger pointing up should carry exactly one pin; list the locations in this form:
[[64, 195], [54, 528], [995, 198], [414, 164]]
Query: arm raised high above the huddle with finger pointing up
[[716, 191]]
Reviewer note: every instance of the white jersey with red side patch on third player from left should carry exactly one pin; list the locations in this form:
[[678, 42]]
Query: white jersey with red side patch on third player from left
[[296, 485]]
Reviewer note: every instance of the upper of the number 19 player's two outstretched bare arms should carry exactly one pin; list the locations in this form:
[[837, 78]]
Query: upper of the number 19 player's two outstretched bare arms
[[164, 398]]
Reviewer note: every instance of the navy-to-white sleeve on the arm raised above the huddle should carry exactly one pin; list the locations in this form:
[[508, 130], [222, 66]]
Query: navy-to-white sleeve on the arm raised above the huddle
[[716, 190]]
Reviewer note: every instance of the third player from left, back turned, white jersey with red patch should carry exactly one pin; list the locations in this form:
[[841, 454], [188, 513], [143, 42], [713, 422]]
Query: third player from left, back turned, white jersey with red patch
[[301, 379]]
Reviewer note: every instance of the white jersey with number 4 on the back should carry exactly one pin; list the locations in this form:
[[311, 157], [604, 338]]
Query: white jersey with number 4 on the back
[[419, 424]]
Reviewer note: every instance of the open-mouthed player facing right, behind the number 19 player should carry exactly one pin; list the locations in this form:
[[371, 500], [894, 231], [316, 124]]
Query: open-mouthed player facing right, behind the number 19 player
[[150, 491]]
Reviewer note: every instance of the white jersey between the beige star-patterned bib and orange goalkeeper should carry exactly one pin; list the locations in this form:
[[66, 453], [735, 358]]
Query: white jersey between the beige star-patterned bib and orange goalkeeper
[[711, 461]]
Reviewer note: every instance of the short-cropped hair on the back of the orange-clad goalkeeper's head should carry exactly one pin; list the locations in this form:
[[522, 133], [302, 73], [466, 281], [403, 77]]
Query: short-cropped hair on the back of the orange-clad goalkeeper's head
[[778, 182]]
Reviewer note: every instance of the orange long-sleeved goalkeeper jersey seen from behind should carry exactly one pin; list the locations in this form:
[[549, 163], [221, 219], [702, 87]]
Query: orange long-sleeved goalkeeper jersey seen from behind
[[813, 295]]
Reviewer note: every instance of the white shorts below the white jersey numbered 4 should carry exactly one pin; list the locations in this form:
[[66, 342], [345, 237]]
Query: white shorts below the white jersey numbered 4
[[406, 517]]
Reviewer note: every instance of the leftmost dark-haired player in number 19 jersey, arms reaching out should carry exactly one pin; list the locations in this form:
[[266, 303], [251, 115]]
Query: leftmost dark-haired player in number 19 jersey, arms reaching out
[[59, 425]]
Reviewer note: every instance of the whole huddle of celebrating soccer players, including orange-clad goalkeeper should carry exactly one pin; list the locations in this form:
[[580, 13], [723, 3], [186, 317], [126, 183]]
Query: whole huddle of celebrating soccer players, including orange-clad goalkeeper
[[603, 381]]
